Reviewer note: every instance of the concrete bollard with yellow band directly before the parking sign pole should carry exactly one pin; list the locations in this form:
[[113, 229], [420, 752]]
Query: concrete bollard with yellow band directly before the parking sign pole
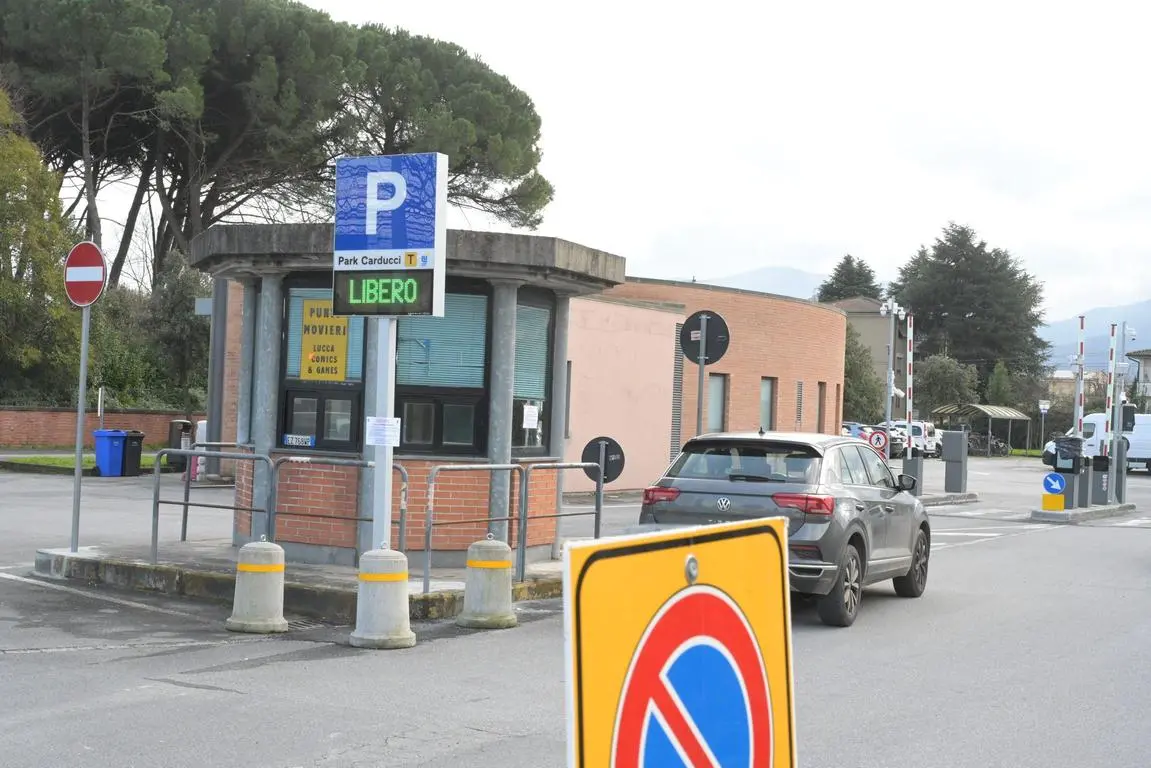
[[382, 603]]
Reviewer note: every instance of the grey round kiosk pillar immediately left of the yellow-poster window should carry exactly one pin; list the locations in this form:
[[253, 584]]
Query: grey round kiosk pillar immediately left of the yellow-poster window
[[266, 389]]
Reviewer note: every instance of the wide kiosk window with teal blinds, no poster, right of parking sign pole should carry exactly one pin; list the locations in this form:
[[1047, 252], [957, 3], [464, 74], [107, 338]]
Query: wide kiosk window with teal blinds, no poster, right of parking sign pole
[[441, 377]]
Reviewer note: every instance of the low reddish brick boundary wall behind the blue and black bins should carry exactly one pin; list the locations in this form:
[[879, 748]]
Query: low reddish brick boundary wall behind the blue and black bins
[[21, 428]]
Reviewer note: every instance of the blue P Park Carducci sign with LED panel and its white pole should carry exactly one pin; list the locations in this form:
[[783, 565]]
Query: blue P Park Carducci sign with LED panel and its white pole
[[390, 261]]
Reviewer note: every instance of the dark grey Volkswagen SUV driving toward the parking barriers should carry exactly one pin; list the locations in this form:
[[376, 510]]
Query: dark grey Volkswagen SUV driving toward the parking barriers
[[851, 522]]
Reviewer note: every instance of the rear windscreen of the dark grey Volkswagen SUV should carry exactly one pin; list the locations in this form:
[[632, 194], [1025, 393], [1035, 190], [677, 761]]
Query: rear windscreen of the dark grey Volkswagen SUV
[[722, 460]]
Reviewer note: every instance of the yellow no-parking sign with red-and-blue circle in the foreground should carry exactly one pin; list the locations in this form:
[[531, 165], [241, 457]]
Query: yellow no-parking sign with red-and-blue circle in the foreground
[[692, 664]]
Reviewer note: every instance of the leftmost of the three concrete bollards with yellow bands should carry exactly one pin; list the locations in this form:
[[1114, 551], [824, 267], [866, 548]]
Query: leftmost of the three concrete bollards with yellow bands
[[258, 606]]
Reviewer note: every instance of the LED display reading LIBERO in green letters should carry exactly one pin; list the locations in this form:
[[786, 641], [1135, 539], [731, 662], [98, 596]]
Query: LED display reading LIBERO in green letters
[[394, 292]]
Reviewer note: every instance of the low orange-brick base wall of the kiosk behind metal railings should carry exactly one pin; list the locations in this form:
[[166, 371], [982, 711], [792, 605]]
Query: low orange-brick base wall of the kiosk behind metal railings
[[333, 492]]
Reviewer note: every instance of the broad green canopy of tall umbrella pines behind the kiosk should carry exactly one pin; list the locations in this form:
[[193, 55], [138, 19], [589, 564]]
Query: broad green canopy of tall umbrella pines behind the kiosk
[[235, 110]]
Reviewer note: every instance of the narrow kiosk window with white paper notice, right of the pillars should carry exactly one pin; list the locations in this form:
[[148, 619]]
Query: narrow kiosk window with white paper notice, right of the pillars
[[533, 369]]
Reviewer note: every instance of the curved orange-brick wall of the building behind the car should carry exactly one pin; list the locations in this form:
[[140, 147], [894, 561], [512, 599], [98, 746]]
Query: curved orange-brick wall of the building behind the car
[[787, 339]]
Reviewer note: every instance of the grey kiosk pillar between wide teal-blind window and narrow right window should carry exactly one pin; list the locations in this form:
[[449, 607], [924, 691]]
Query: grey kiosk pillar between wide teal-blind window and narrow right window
[[501, 392]]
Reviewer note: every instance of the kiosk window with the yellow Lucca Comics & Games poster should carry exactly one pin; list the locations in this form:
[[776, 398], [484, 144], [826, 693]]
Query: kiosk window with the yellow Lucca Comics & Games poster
[[323, 390]]
